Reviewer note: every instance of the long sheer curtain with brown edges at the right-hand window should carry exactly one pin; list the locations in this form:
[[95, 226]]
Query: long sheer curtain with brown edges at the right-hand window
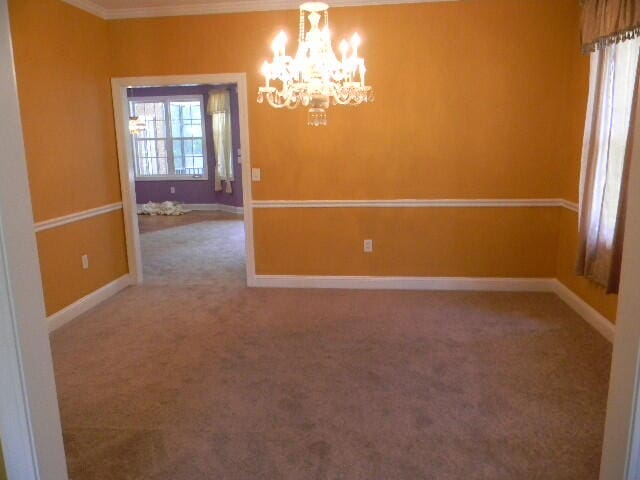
[[605, 161]]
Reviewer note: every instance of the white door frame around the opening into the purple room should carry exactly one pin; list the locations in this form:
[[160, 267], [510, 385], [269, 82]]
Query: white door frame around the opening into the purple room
[[127, 169]]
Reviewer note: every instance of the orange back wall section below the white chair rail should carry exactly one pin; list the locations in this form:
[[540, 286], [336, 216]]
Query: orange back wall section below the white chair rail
[[495, 242]]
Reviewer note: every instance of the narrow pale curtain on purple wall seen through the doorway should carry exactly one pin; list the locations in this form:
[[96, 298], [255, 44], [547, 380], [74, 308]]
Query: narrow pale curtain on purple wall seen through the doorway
[[219, 109]]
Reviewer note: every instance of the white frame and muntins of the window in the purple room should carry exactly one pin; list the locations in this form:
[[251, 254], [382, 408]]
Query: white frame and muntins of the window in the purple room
[[166, 100]]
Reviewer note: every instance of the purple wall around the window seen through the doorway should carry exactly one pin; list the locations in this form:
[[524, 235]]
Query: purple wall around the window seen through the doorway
[[195, 191]]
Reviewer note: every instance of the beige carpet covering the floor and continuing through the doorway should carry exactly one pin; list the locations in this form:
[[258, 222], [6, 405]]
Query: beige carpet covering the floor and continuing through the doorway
[[193, 376]]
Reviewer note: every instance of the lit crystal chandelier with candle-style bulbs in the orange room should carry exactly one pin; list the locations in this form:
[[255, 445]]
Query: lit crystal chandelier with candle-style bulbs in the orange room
[[315, 77]]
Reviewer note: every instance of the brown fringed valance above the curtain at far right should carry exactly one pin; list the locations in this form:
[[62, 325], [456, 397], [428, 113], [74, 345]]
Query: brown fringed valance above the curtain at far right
[[609, 21]]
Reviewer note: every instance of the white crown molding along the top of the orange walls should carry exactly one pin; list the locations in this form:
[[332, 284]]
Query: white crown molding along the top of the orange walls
[[218, 7]]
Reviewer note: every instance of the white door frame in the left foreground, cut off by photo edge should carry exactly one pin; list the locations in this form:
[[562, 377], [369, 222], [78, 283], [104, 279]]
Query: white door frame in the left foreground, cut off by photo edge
[[29, 415]]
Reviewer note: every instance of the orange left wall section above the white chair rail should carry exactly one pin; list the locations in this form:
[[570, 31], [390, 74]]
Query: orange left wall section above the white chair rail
[[62, 64]]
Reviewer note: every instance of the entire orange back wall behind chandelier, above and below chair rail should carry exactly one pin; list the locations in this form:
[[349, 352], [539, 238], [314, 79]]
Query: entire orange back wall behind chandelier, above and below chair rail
[[472, 102]]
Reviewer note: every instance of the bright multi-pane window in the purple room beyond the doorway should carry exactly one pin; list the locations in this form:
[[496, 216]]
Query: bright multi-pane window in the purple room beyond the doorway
[[173, 146]]
